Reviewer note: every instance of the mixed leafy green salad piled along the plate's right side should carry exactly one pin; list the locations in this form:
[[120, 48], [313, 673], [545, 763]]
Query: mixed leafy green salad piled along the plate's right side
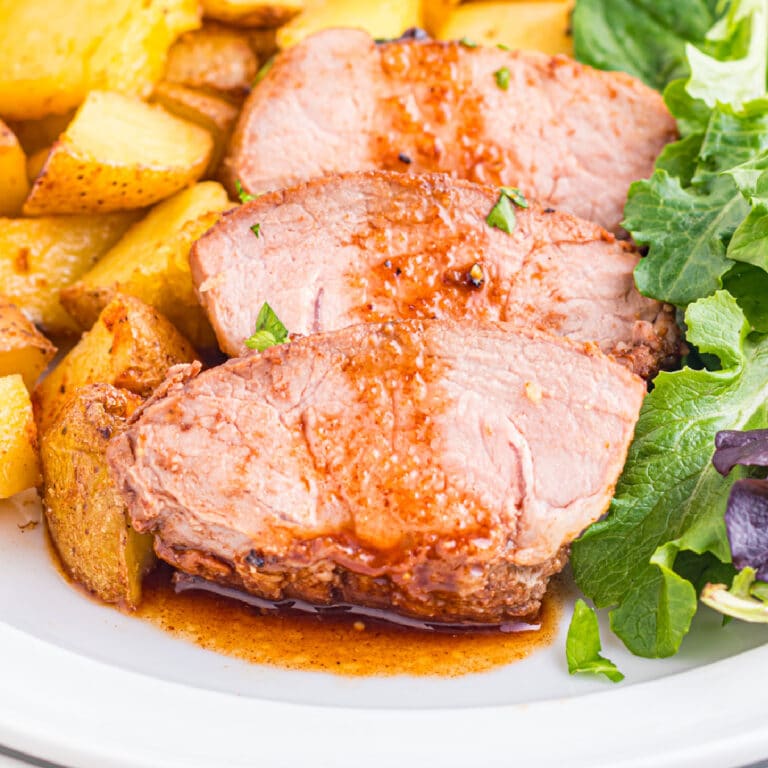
[[683, 528]]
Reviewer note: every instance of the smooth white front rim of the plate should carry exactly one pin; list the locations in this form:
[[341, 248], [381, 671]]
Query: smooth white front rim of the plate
[[48, 712]]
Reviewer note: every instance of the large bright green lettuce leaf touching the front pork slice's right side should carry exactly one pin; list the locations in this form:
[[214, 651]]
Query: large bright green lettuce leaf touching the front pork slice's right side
[[669, 499]]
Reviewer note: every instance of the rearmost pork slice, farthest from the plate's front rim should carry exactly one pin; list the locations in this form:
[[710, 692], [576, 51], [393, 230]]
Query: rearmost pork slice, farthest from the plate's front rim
[[571, 136]]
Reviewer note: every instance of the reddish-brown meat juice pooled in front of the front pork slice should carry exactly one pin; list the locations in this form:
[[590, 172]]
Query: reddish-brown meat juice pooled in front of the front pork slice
[[345, 645]]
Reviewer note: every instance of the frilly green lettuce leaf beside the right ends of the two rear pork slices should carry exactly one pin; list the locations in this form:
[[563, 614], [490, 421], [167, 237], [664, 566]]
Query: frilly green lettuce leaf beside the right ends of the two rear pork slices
[[689, 211]]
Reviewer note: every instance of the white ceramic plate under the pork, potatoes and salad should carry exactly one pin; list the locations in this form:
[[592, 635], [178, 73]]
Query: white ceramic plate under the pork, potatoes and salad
[[87, 687]]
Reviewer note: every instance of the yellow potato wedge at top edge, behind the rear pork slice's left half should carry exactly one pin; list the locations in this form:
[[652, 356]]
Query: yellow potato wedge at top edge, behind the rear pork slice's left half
[[382, 20]]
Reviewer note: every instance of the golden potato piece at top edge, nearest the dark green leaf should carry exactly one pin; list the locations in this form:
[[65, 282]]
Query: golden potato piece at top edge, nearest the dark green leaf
[[541, 26]]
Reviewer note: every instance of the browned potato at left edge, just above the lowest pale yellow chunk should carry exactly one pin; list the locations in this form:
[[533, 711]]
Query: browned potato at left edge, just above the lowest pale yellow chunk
[[23, 349]]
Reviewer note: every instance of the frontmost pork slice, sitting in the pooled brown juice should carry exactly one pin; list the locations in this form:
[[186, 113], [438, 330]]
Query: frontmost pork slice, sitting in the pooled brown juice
[[423, 466]]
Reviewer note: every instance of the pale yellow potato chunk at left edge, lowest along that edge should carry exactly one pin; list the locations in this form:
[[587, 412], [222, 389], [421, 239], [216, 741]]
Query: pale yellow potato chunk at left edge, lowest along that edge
[[19, 465]]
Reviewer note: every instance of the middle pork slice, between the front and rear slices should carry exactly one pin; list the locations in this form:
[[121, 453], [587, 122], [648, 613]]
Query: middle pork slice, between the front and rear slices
[[381, 245]]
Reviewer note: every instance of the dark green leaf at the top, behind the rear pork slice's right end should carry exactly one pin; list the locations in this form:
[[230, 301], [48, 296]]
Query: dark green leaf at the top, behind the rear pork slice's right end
[[646, 38]]
